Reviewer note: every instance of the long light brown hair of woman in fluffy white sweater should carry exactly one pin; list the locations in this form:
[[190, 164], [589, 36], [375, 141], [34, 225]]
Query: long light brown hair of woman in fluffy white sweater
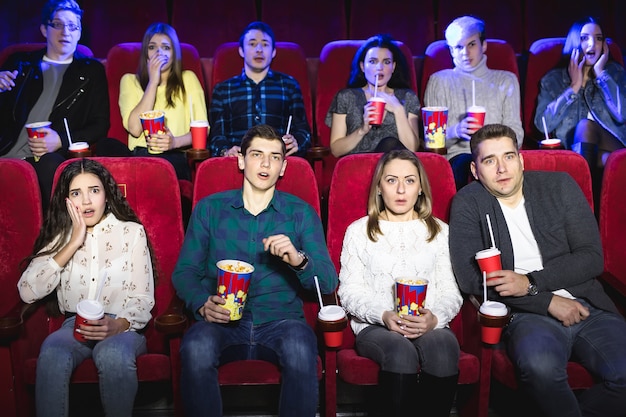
[[423, 206]]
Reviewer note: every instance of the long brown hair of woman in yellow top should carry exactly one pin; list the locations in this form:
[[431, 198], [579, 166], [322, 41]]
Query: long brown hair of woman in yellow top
[[174, 84]]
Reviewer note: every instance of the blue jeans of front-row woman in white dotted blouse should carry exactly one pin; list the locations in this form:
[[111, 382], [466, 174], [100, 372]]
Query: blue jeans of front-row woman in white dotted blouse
[[115, 358]]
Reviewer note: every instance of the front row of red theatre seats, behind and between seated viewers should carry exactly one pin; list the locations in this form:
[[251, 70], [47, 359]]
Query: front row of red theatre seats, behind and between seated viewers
[[158, 207]]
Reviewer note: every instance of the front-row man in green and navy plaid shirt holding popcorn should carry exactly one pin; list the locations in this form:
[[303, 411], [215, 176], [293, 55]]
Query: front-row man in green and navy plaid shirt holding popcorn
[[282, 237]]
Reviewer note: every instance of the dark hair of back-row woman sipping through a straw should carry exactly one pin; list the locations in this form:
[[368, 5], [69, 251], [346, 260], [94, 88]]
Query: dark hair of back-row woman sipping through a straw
[[399, 78]]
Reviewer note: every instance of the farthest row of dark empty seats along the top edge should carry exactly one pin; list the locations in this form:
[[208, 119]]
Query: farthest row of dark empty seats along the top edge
[[211, 23]]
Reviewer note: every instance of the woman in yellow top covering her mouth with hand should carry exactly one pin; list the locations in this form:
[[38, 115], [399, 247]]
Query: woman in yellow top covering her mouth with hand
[[161, 84]]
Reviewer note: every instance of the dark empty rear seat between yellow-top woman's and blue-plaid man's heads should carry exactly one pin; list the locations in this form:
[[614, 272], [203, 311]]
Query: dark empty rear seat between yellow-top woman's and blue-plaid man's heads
[[209, 24]]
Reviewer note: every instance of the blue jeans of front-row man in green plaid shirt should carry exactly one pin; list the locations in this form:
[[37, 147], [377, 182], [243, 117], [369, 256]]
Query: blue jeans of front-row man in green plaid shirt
[[291, 344]]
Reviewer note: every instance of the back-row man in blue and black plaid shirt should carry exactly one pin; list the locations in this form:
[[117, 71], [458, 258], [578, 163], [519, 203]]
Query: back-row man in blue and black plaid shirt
[[257, 96]]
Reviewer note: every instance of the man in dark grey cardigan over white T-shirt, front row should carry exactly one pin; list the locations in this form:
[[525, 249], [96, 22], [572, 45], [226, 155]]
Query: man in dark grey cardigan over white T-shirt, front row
[[551, 254]]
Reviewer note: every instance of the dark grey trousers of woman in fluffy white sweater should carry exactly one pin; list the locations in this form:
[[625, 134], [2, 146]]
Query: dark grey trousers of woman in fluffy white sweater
[[436, 352]]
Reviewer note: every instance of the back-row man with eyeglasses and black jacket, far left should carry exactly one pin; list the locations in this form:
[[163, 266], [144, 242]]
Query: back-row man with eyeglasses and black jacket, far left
[[53, 84]]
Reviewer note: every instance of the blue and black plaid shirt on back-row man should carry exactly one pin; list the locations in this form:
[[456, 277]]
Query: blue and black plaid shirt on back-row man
[[239, 103]]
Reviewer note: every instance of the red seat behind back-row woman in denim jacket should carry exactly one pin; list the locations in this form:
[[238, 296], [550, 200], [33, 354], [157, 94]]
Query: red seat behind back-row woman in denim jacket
[[544, 55]]
